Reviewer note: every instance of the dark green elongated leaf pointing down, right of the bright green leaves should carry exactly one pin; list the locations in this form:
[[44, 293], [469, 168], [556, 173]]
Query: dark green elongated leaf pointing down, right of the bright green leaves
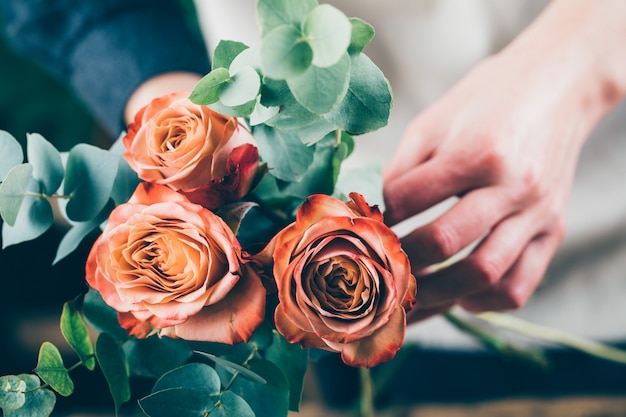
[[114, 367]]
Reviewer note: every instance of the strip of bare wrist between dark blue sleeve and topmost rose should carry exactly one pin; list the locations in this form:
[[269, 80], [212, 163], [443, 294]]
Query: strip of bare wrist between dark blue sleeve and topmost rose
[[157, 86]]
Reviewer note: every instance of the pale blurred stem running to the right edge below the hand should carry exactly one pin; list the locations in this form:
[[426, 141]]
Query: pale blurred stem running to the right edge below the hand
[[560, 337]]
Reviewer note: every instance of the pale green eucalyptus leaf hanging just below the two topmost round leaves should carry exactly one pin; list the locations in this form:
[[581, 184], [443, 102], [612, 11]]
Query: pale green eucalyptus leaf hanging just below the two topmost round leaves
[[320, 89]]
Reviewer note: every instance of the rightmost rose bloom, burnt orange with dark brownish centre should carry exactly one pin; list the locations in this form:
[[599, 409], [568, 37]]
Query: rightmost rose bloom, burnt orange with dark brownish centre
[[344, 284]]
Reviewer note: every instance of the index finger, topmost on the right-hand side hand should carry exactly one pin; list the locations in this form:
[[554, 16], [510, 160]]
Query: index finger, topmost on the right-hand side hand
[[421, 188]]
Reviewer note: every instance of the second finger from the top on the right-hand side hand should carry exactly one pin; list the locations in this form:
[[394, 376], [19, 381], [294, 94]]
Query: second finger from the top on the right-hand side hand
[[473, 215]]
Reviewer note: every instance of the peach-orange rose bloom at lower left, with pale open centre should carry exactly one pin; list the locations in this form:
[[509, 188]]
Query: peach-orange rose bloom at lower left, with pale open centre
[[165, 263]]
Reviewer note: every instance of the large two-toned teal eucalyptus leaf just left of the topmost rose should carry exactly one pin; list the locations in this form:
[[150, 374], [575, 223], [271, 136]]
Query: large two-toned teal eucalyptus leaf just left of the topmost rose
[[90, 175]]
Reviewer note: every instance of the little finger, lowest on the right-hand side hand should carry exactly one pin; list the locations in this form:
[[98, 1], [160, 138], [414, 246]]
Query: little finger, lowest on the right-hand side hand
[[514, 290]]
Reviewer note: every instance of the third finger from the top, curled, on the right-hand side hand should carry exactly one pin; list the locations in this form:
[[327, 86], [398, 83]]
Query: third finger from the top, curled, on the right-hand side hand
[[481, 269]]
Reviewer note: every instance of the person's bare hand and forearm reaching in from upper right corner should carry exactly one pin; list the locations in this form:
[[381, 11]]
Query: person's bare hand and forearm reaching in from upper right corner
[[505, 140]]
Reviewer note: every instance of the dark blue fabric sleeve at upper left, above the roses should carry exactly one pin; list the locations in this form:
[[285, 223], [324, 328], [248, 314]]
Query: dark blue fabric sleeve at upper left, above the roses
[[104, 49]]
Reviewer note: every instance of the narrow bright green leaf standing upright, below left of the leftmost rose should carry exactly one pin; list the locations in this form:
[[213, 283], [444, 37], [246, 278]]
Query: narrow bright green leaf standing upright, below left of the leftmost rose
[[75, 332]]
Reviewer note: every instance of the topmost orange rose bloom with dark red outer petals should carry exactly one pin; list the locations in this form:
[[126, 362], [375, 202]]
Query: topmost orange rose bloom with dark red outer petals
[[188, 147]]
